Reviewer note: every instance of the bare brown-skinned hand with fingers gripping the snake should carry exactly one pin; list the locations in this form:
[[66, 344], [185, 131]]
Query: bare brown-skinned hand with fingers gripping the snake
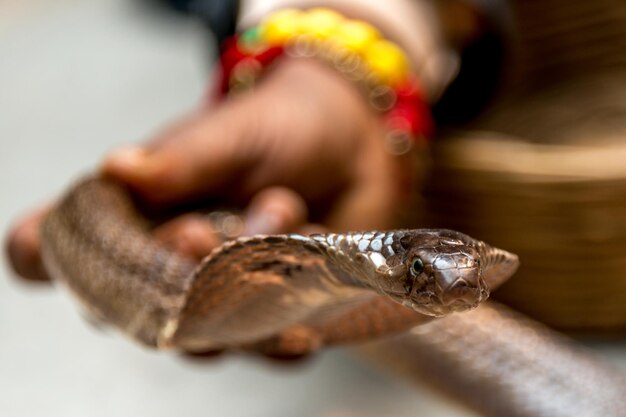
[[279, 149]]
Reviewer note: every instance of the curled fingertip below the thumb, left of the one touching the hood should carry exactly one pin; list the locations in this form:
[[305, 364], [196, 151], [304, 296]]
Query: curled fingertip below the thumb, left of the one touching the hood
[[191, 235]]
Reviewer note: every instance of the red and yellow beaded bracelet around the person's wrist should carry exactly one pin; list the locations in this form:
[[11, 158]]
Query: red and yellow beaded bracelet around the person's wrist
[[354, 48]]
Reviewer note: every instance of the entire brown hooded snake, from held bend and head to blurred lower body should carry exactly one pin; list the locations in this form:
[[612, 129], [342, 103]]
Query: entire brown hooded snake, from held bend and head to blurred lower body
[[292, 294]]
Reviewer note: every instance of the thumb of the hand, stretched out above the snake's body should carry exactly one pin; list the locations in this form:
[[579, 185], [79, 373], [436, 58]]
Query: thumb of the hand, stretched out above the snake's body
[[206, 154]]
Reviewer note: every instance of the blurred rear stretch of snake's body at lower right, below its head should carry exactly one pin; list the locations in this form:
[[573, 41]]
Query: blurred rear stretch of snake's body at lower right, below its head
[[502, 364]]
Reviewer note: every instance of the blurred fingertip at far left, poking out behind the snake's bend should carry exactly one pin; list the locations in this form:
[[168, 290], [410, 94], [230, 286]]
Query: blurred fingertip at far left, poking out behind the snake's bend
[[23, 247]]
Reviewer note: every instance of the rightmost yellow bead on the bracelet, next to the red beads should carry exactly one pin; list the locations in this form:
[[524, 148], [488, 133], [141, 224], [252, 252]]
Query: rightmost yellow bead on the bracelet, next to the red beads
[[387, 61]]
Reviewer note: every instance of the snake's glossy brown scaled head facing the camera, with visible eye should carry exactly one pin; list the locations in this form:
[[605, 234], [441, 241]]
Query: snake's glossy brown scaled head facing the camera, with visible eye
[[437, 272]]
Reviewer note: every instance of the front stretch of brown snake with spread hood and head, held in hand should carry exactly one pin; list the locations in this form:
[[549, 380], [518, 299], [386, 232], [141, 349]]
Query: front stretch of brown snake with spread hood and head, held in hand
[[253, 289]]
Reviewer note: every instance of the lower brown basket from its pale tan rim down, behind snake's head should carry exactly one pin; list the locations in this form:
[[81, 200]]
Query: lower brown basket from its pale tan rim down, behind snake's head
[[561, 208]]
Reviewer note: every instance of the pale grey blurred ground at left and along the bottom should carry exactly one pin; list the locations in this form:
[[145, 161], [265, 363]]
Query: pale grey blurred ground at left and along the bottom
[[76, 79]]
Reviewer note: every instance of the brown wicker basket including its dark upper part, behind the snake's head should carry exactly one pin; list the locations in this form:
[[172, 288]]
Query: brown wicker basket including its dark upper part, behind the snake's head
[[543, 172]]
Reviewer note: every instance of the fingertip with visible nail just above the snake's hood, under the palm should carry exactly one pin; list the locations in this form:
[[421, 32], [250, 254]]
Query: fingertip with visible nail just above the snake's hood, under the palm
[[275, 210]]
